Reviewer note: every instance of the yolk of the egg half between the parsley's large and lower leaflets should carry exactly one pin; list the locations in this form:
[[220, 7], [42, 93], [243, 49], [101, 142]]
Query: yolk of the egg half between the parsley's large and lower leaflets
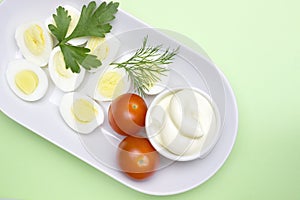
[[98, 47]]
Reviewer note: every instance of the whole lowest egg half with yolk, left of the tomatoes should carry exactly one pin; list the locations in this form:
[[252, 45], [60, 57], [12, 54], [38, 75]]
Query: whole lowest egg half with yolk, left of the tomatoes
[[81, 113]]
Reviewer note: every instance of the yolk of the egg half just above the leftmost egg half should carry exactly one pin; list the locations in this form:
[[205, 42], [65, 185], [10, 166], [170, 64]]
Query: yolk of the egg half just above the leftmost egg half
[[35, 40]]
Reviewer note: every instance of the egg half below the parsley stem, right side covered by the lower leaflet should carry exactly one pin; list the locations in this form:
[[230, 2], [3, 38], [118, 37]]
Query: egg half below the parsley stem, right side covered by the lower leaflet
[[62, 77]]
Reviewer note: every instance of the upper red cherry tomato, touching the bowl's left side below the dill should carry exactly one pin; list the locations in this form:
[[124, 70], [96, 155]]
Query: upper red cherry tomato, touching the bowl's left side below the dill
[[127, 114]]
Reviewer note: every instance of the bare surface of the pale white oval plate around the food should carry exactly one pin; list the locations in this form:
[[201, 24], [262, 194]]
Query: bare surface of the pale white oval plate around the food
[[198, 70]]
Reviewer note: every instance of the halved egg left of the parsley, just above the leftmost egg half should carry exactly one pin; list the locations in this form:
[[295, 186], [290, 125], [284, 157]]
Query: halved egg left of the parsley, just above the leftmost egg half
[[34, 42]]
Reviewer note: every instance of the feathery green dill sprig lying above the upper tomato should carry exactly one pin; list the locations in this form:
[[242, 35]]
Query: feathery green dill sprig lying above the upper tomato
[[146, 66]]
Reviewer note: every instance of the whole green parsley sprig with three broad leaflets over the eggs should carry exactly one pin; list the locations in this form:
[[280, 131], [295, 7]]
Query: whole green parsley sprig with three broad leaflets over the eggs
[[93, 21]]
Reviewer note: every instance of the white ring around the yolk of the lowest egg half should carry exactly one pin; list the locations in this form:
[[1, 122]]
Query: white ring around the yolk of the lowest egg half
[[65, 109]]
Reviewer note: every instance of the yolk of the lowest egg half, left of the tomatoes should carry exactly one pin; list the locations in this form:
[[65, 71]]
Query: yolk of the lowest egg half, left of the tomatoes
[[84, 111]]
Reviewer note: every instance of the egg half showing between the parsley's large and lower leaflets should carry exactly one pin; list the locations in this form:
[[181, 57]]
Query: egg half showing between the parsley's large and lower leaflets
[[106, 49]]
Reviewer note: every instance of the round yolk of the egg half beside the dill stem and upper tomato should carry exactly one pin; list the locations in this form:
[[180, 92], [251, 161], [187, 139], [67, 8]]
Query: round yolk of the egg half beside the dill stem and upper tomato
[[110, 84]]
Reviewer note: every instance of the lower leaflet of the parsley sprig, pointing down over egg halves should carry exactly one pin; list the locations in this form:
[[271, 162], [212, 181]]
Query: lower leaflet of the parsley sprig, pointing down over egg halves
[[75, 56]]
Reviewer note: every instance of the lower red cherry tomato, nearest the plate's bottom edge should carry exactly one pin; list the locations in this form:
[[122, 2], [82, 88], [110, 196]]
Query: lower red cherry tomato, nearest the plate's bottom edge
[[137, 157]]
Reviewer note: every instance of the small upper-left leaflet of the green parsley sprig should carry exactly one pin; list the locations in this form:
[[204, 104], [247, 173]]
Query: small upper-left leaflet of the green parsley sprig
[[62, 21]]
